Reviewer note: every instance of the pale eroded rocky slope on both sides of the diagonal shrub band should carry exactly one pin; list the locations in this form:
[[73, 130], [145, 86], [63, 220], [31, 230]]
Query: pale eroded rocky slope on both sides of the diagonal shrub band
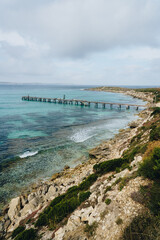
[[105, 214]]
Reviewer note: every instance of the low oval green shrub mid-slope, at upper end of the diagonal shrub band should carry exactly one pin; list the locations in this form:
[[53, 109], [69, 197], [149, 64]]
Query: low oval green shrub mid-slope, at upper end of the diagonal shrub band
[[108, 166]]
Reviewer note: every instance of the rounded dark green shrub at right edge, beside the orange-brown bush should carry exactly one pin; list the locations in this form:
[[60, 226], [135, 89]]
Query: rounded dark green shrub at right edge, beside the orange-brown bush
[[151, 166]]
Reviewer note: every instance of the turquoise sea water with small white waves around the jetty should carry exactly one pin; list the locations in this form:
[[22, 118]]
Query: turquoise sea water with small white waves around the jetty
[[38, 139]]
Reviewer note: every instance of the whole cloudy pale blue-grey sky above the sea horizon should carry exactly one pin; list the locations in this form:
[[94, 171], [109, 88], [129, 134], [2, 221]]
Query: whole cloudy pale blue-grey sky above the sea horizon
[[91, 42]]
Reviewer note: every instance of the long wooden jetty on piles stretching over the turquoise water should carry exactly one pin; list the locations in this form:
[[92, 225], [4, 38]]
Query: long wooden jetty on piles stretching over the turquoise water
[[81, 102]]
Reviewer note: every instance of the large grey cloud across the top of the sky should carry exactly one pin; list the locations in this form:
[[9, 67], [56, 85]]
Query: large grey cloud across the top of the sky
[[75, 28]]
